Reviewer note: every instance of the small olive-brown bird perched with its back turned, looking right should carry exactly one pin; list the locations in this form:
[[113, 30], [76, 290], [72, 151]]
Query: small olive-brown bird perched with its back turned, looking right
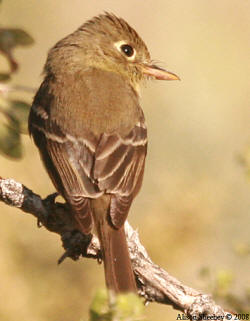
[[90, 130]]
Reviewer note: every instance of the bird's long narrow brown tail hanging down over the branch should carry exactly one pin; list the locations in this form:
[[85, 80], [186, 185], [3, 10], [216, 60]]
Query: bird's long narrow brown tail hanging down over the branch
[[117, 264]]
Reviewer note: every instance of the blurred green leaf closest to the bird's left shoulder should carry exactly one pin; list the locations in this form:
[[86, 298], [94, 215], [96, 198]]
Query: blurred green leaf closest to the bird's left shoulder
[[18, 113]]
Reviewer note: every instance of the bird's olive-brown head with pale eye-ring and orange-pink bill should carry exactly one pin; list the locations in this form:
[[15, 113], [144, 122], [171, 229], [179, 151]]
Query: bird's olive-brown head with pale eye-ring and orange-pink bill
[[109, 43]]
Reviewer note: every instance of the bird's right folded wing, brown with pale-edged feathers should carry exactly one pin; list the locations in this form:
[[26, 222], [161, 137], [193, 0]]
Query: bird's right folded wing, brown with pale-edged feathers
[[118, 169]]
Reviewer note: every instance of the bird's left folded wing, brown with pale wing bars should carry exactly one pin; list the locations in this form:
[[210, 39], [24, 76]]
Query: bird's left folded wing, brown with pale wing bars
[[69, 162]]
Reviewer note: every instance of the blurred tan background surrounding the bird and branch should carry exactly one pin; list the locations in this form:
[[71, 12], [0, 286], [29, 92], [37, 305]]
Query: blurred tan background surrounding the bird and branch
[[192, 213]]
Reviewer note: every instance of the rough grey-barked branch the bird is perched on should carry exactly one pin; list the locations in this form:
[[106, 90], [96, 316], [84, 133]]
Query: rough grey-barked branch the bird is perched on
[[154, 283]]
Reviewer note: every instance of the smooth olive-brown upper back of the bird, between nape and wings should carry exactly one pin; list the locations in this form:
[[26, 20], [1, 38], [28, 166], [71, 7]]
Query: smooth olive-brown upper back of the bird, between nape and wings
[[97, 101]]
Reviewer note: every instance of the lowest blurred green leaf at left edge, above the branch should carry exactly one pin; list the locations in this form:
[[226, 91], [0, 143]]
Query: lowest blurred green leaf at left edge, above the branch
[[10, 142]]
